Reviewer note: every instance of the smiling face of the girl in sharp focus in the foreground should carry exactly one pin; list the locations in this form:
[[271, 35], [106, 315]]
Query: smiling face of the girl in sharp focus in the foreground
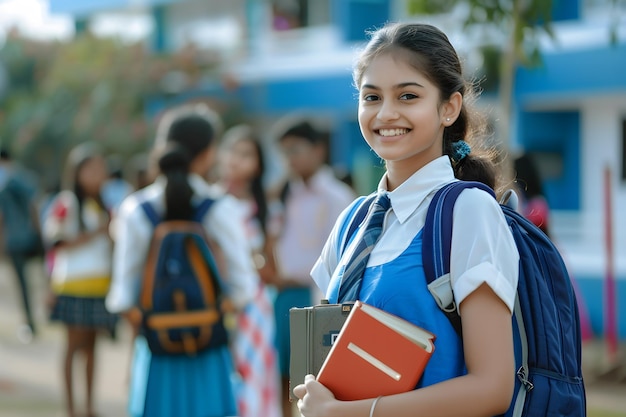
[[400, 113]]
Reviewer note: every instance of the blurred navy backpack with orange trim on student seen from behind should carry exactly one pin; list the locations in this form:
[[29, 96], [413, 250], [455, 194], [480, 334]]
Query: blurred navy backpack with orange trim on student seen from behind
[[181, 294]]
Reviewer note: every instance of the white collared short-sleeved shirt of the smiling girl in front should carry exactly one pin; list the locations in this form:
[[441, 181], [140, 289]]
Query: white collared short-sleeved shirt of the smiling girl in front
[[483, 249]]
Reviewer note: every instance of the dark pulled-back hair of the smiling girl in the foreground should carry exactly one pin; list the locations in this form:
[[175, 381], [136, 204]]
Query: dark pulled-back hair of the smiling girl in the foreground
[[429, 51]]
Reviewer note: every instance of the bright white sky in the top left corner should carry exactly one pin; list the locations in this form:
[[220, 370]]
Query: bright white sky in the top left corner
[[32, 19]]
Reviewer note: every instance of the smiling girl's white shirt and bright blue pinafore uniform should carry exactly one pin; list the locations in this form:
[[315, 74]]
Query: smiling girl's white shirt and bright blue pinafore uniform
[[483, 251]]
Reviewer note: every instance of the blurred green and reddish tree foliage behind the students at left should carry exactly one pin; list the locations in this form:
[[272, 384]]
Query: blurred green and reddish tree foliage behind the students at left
[[89, 89]]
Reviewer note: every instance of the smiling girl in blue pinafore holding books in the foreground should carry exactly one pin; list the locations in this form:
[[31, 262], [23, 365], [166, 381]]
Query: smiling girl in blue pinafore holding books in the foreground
[[414, 113]]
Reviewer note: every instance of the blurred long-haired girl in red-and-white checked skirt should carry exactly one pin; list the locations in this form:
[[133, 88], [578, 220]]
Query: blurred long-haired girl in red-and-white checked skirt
[[241, 173]]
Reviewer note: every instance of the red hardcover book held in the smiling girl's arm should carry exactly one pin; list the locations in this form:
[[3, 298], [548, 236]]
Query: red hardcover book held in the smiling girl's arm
[[376, 353]]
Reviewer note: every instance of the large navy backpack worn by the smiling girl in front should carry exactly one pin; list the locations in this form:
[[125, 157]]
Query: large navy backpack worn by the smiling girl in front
[[546, 323]]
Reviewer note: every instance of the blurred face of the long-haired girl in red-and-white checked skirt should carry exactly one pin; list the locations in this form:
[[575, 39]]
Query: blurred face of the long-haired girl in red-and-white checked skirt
[[240, 161]]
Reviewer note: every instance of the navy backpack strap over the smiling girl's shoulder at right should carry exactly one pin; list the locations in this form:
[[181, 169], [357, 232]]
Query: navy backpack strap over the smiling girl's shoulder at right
[[437, 245]]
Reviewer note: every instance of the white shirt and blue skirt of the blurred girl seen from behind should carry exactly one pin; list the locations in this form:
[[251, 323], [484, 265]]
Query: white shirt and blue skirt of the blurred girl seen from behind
[[163, 386]]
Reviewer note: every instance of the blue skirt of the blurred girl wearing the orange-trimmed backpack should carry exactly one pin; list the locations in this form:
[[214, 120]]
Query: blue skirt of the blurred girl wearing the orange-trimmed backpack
[[165, 386]]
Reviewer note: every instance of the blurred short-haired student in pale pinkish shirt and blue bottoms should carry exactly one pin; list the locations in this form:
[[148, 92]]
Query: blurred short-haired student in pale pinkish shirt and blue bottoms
[[309, 203]]
